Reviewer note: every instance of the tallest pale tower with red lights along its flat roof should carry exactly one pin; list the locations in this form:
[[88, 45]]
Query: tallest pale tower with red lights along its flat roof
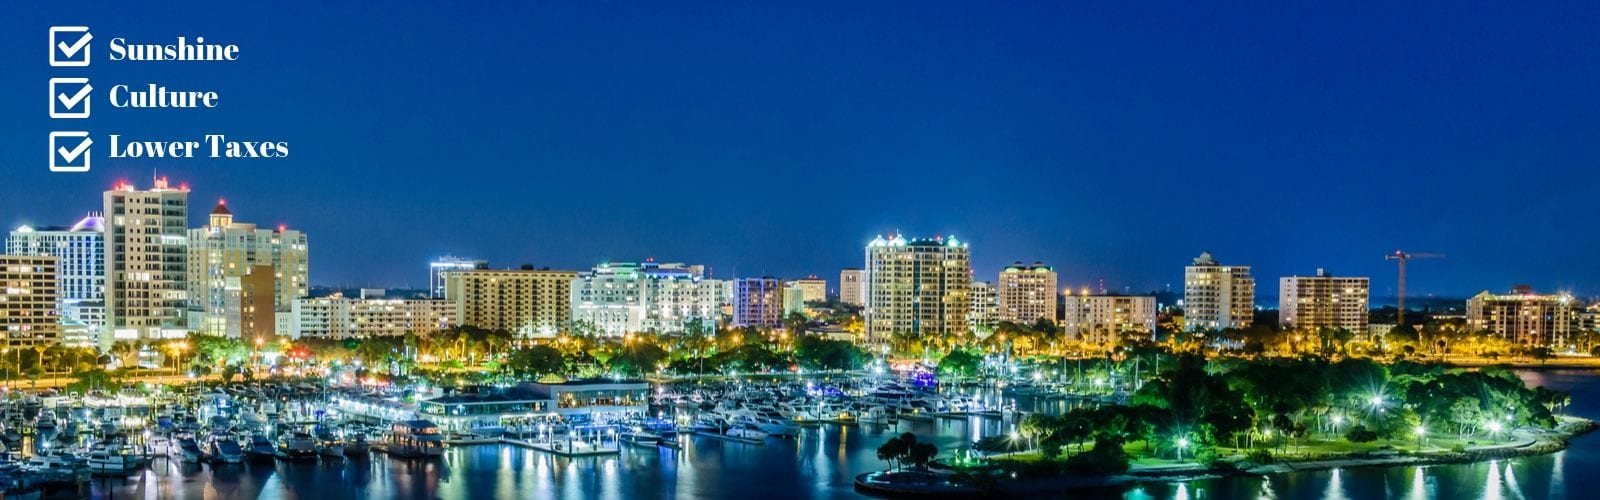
[[146, 262]]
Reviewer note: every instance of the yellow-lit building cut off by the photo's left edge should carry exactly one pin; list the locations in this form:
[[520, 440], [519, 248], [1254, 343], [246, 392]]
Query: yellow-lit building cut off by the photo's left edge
[[30, 300]]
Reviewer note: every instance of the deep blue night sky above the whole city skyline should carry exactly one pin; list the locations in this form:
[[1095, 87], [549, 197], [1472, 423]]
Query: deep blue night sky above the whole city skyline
[[1114, 140]]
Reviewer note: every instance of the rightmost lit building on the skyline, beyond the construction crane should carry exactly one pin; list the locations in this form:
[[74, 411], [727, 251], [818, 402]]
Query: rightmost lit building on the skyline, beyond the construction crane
[[1526, 318]]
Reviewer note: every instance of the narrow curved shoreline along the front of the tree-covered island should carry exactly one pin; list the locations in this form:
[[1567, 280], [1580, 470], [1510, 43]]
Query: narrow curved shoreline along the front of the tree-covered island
[[1546, 443]]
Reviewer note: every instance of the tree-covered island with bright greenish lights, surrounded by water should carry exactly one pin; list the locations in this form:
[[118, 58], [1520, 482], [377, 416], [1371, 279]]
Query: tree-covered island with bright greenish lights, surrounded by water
[[1233, 416]]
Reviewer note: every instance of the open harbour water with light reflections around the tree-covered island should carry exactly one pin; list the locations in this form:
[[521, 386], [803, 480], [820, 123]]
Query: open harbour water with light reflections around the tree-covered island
[[823, 464]]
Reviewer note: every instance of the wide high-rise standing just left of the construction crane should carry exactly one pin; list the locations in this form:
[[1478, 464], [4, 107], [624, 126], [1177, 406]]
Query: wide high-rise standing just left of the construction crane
[[1324, 300]]
